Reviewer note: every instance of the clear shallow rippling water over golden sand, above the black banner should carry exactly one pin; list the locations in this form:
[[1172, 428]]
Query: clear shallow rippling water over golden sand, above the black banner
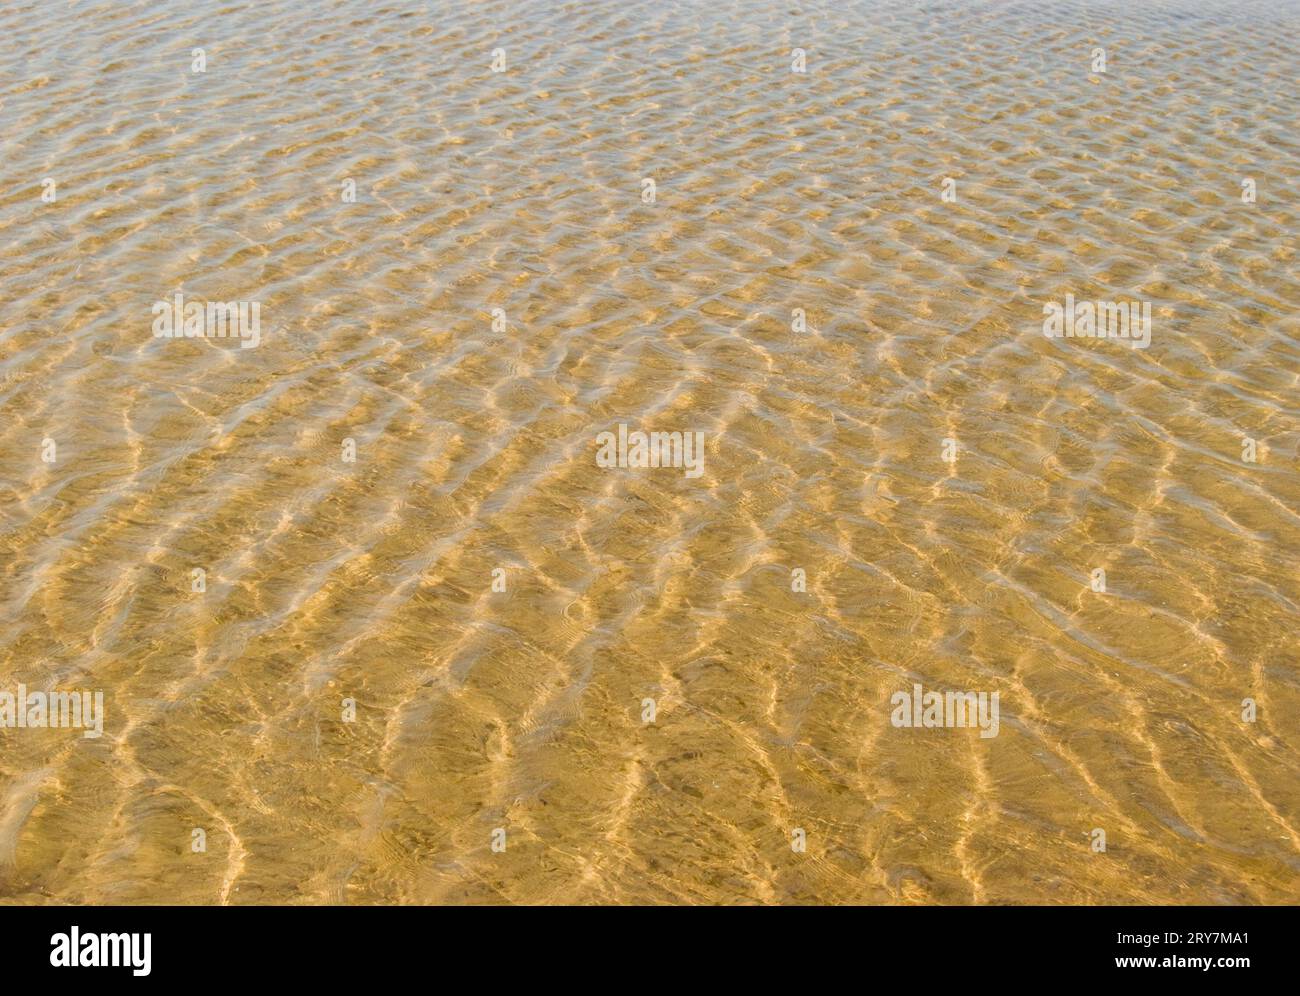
[[476, 452]]
